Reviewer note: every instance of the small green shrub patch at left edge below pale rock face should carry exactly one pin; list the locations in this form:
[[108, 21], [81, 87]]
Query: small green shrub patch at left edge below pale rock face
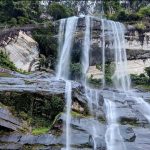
[[5, 61]]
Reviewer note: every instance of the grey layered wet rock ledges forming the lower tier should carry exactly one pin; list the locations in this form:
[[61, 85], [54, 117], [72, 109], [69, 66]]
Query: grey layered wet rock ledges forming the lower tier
[[42, 86]]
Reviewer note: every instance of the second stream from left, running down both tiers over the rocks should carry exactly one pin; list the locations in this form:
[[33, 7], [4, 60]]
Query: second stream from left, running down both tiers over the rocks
[[90, 93]]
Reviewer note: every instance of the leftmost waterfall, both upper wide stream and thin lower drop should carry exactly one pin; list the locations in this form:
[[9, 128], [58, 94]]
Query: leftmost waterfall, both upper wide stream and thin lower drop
[[63, 67]]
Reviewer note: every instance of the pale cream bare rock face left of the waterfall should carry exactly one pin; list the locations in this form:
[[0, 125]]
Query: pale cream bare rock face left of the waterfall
[[22, 50]]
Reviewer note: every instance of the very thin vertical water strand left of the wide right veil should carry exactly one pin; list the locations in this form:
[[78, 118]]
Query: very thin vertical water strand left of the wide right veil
[[103, 52]]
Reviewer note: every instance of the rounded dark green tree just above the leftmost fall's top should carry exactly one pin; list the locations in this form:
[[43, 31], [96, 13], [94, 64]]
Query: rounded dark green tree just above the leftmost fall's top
[[58, 11]]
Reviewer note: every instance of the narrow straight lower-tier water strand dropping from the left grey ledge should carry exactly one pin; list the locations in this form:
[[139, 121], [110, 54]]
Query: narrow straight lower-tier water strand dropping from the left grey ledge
[[68, 117]]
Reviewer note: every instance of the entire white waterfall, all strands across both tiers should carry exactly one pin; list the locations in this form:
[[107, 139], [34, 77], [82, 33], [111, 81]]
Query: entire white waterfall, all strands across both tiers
[[113, 31]]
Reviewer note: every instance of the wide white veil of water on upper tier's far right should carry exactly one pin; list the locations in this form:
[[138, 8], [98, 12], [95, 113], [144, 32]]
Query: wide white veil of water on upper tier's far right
[[120, 76]]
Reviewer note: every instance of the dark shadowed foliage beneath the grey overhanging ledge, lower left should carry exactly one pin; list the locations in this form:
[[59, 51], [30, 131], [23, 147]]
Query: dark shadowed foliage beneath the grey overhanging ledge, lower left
[[35, 105]]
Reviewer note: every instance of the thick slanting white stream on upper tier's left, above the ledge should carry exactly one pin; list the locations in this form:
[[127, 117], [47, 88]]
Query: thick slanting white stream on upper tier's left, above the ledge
[[64, 60]]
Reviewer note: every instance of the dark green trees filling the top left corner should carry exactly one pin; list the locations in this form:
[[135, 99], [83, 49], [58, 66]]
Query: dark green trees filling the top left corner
[[16, 12]]
